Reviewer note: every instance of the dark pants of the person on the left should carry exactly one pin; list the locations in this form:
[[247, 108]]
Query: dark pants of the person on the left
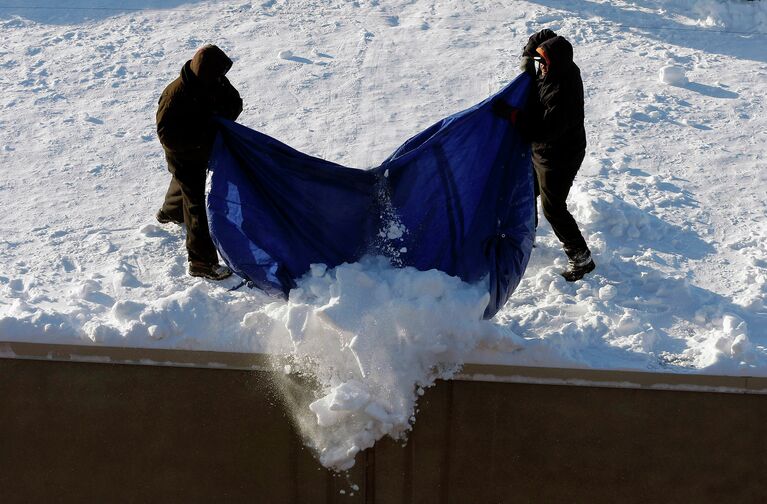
[[185, 200]]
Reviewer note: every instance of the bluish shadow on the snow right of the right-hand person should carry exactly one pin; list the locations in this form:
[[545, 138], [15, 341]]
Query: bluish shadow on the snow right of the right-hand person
[[657, 301]]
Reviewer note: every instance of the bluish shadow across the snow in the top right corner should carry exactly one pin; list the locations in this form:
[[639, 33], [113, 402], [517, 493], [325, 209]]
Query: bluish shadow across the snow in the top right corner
[[643, 17]]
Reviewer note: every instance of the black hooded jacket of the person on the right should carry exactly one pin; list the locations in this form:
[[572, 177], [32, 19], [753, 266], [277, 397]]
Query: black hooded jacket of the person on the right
[[553, 118]]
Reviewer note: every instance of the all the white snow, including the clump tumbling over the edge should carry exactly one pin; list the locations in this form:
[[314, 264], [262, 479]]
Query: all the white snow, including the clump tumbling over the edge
[[671, 196]]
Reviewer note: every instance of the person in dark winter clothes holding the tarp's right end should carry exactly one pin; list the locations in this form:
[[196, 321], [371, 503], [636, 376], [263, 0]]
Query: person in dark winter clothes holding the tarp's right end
[[553, 121]]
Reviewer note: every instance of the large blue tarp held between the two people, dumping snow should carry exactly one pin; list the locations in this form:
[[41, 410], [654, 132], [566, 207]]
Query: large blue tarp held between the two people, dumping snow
[[462, 191]]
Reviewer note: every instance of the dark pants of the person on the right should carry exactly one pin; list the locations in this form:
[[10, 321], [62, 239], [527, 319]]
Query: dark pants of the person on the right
[[553, 185]]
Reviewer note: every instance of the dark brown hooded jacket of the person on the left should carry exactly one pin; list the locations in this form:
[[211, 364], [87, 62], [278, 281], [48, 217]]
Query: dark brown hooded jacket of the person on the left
[[186, 108]]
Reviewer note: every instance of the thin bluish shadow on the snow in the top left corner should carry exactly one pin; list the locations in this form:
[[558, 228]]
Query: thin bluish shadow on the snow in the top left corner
[[78, 11]]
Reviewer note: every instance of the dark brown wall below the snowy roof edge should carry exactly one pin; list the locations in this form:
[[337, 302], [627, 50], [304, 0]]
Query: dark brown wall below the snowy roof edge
[[88, 432]]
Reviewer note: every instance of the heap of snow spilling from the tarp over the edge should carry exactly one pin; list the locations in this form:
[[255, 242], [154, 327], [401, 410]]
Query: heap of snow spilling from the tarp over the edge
[[371, 337]]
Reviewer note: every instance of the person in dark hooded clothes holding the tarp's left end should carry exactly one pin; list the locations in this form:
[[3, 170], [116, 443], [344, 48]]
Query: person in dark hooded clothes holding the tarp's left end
[[186, 129]]
